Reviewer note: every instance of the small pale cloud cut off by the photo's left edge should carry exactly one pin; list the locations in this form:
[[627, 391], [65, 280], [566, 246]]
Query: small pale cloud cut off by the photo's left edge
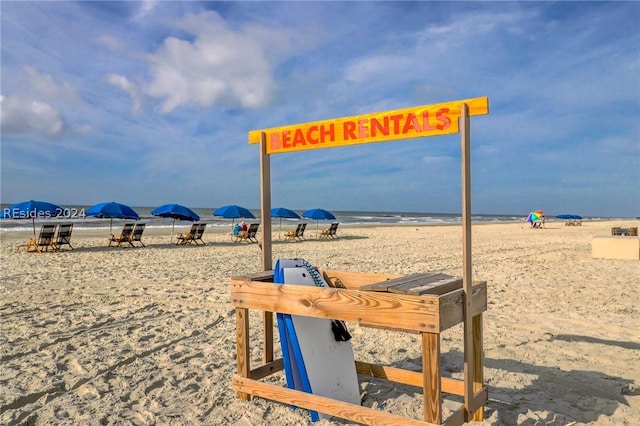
[[29, 116]]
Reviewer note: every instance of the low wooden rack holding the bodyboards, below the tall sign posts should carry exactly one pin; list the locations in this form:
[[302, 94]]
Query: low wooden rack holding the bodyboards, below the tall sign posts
[[420, 303]]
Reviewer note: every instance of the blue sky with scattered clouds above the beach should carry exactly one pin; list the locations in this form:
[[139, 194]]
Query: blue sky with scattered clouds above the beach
[[148, 103]]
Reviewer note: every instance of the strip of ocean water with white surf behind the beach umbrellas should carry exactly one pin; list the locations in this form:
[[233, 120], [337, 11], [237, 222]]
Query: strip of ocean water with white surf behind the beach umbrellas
[[76, 215]]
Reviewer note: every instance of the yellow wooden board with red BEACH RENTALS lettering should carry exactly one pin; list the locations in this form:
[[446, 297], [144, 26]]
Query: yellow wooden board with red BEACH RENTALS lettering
[[407, 123]]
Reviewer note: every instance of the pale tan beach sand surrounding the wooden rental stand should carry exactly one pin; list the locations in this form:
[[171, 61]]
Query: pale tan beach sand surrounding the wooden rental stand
[[146, 336]]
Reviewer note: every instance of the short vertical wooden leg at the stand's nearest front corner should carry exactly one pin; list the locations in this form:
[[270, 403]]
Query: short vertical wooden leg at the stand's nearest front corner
[[432, 390]]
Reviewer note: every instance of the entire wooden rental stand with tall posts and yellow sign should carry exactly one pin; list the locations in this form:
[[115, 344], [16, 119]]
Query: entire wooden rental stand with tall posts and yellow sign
[[250, 291]]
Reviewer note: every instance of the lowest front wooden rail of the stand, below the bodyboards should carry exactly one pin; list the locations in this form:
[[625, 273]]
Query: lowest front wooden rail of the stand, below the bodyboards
[[344, 410]]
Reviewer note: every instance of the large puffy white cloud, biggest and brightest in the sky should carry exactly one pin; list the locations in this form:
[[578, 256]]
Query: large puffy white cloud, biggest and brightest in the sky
[[219, 66]]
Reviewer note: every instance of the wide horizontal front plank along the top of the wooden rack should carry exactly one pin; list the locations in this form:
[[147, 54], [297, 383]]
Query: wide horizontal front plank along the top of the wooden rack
[[383, 309]]
